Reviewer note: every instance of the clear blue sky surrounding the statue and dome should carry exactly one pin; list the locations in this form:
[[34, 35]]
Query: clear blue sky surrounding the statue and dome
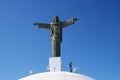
[[92, 43]]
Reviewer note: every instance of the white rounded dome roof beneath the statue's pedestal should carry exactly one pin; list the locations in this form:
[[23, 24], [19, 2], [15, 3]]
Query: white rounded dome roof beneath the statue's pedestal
[[57, 76]]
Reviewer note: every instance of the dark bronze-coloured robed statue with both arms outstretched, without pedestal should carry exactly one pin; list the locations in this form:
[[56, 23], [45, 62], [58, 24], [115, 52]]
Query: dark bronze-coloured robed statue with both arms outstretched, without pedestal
[[56, 32]]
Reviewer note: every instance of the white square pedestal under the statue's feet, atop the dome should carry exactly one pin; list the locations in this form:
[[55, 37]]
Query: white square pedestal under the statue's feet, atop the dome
[[55, 64]]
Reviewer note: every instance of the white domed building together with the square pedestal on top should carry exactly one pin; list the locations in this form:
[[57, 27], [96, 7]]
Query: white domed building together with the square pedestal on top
[[55, 73]]
